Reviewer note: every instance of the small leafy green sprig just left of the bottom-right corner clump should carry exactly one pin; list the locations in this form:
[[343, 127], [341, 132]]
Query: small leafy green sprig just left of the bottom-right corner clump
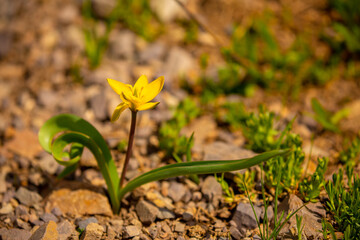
[[310, 187]]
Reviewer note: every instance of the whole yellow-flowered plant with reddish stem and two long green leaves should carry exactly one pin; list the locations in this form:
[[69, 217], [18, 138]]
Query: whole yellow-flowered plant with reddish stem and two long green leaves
[[64, 130]]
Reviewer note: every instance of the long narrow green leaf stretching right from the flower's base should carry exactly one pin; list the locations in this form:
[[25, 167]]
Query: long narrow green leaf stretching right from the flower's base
[[203, 167]]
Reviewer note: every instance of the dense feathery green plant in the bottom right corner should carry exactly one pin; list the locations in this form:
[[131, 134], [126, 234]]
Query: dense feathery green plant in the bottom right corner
[[344, 203]]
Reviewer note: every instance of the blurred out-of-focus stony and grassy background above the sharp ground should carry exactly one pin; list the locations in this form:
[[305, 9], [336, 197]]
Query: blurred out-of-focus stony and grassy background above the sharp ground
[[55, 56]]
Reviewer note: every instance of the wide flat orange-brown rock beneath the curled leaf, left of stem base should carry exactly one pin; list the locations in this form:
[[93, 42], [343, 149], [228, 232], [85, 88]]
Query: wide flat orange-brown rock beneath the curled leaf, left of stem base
[[79, 202]]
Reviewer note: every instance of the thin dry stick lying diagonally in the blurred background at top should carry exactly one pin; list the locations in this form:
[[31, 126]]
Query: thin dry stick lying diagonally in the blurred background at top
[[246, 63]]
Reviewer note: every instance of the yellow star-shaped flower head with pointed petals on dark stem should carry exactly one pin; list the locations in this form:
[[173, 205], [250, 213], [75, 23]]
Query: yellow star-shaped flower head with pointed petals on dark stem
[[136, 97]]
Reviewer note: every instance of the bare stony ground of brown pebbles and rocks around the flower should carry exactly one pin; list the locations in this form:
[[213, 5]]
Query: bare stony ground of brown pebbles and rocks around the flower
[[41, 43]]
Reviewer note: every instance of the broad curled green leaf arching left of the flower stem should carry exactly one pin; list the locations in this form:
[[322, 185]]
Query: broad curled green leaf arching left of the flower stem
[[69, 130]]
